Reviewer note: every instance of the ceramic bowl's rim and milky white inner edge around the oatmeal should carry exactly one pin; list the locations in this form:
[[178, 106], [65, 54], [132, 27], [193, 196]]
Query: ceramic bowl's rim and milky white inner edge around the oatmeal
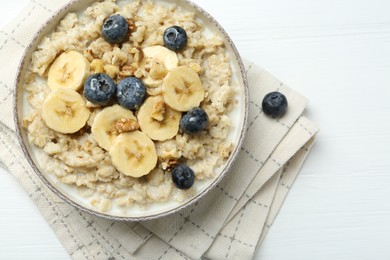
[[156, 210]]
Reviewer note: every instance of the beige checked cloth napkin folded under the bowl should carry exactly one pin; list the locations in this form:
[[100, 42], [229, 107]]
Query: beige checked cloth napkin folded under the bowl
[[227, 224]]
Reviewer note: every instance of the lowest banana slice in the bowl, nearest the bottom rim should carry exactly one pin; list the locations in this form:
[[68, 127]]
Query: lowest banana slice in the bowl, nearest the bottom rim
[[133, 154]]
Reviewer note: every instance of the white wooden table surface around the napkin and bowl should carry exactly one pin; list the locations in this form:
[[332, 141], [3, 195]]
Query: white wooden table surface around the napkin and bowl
[[337, 53]]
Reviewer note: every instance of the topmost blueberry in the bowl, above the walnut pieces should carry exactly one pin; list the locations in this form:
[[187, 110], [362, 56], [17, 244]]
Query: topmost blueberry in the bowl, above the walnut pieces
[[115, 29]]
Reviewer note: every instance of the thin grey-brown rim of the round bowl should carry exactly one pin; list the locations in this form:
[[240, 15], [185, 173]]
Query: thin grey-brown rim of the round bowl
[[232, 158]]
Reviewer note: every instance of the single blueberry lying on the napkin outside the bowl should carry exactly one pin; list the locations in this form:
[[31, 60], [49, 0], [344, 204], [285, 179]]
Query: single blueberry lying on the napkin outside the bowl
[[274, 104]]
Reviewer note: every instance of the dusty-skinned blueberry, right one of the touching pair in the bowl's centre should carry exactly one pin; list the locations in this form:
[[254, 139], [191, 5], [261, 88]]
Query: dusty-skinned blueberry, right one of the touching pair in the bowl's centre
[[131, 93]]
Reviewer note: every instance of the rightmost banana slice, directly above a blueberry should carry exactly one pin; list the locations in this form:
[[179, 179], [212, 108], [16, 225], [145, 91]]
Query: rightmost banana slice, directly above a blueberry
[[182, 89]]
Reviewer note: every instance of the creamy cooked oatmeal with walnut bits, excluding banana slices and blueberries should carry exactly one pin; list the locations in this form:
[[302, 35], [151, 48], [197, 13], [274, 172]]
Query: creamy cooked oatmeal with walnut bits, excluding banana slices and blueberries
[[76, 159]]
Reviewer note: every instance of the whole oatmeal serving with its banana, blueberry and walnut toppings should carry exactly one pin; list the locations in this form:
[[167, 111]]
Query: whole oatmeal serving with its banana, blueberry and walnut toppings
[[129, 103]]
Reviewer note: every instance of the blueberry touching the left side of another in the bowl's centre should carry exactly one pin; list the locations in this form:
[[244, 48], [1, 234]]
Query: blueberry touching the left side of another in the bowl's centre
[[99, 88]]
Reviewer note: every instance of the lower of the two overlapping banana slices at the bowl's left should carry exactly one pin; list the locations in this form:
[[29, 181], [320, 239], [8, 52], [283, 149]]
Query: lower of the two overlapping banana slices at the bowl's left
[[65, 111]]
